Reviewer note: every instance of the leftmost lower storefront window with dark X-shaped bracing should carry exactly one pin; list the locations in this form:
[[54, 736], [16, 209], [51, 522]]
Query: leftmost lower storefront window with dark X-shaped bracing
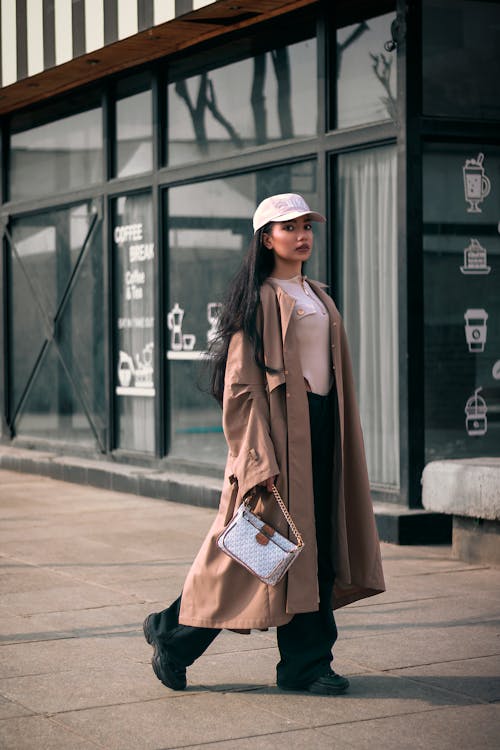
[[57, 361]]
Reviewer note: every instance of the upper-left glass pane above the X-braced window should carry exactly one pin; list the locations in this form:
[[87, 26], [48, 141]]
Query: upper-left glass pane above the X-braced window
[[58, 156]]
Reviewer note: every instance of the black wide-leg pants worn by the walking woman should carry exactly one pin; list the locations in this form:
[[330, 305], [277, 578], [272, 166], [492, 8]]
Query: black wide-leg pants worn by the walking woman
[[305, 643]]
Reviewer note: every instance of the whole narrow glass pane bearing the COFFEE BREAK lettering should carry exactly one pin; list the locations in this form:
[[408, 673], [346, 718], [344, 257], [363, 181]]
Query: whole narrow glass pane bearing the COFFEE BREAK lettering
[[133, 250]]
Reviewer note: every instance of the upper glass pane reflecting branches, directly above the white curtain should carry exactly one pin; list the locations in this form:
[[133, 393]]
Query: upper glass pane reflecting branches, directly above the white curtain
[[366, 73]]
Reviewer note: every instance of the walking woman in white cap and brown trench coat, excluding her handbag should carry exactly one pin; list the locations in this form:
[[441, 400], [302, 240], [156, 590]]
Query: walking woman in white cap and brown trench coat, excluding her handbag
[[283, 374]]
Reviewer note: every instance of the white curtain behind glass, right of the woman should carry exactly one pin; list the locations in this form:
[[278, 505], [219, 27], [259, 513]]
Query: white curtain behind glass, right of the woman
[[367, 239]]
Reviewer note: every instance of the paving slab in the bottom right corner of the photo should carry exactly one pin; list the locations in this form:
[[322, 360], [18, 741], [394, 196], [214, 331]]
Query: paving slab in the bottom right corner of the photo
[[464, 728]]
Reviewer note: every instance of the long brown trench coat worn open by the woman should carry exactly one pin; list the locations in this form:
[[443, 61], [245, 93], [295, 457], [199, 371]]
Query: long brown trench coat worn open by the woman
[[266, 425]]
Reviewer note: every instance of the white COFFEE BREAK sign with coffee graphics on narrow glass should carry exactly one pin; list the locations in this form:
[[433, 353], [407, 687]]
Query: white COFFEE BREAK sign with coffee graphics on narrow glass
[[134, 262]]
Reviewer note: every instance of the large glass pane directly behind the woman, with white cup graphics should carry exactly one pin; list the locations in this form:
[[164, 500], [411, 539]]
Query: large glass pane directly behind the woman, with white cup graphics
[[209, 231]]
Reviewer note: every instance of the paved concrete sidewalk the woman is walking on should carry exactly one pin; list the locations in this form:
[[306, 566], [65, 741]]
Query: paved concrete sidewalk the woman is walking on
[[80, 569]]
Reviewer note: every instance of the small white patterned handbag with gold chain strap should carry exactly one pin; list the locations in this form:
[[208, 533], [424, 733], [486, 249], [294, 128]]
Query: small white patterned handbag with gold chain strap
[[253, 543]]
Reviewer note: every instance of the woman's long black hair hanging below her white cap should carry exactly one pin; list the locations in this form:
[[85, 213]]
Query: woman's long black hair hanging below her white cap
[[239, 311]]
